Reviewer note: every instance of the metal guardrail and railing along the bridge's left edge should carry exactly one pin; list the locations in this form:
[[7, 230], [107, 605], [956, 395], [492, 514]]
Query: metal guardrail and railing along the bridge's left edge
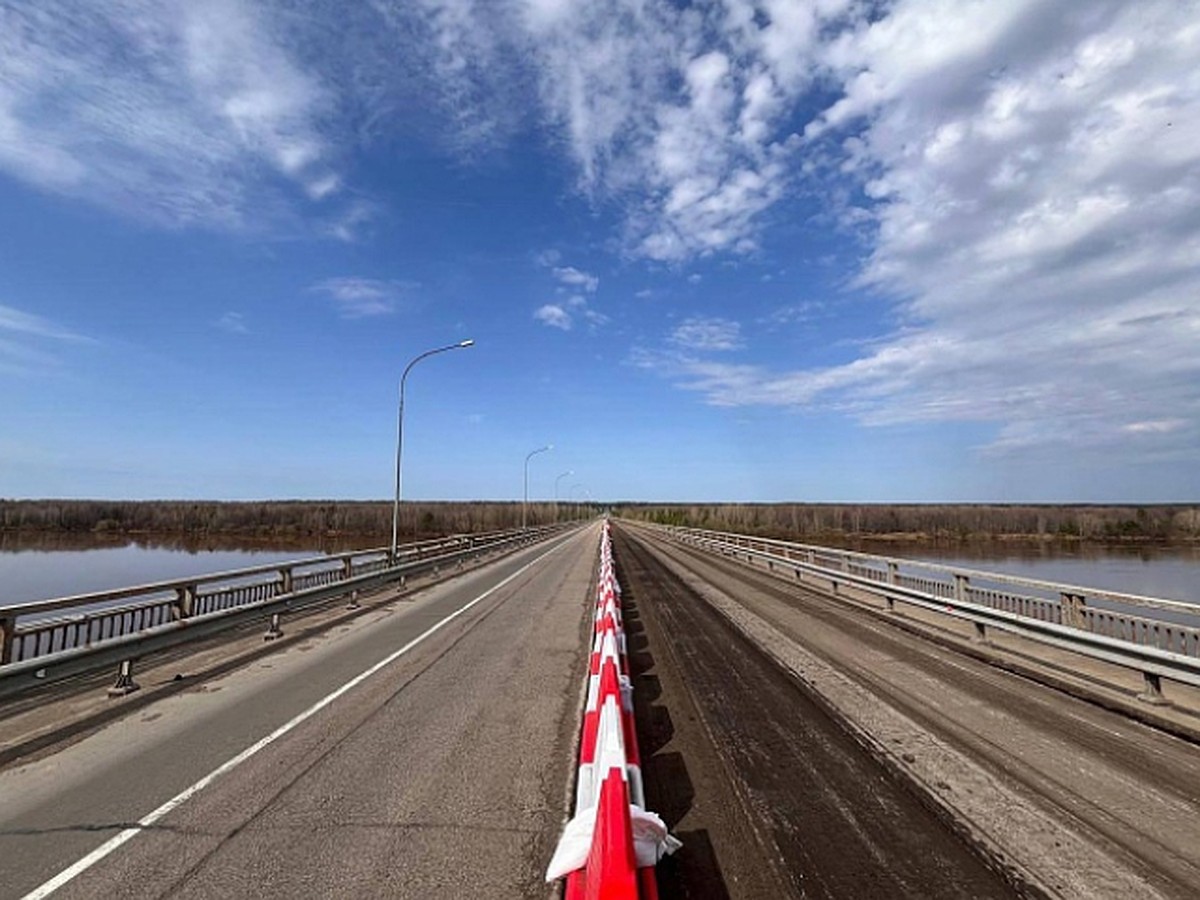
[[50, 640]]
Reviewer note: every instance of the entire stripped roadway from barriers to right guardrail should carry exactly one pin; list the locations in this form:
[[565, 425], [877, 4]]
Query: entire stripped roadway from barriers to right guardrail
[[1057, 795]]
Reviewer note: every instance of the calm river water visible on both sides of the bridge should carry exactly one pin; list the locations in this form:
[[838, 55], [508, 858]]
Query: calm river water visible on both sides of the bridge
[[39, 568]]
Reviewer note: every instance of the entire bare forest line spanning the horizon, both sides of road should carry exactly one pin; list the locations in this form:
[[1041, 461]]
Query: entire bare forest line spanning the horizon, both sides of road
[[373, 520]]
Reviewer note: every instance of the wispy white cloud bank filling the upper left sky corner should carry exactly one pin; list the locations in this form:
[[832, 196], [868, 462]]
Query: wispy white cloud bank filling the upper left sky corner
[[178, 115]]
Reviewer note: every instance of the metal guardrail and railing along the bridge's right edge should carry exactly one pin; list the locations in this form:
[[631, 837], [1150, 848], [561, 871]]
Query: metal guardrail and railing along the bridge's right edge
[[1156, 637]]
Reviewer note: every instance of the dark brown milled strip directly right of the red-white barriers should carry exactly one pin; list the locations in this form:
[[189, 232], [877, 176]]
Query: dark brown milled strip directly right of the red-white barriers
[[770, 796]]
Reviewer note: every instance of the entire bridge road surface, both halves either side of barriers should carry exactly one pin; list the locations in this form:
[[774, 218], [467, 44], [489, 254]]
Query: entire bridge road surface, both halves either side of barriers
[[799, 746]]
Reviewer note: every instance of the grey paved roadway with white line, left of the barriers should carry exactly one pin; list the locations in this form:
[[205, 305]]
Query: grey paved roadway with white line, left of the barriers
[[441, 772]]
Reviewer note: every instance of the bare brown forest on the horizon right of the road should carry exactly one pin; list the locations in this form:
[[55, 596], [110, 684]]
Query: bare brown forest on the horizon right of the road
[[933, 521]]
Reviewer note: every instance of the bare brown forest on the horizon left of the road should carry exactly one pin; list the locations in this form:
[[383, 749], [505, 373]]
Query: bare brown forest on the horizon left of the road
[[272, 519]]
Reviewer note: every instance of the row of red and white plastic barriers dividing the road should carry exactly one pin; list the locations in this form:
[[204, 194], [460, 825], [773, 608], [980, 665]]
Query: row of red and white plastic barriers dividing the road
[[610, 848]]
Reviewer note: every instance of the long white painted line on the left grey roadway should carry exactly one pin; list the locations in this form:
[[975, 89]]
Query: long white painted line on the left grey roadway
[[112, 844]]
